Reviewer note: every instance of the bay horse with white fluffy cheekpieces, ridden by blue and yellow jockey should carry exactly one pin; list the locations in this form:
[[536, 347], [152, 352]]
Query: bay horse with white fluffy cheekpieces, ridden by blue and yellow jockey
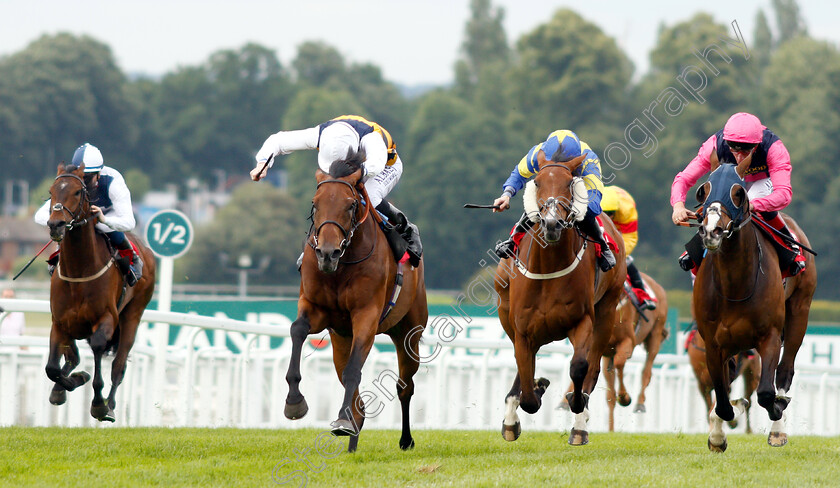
[[555, 291]]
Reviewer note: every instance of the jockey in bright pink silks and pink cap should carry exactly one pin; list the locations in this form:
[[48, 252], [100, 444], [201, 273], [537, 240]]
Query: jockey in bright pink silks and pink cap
[[767, 178]]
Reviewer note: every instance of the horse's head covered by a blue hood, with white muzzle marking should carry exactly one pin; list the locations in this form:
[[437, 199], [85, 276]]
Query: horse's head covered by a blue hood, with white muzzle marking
[[726, 206]]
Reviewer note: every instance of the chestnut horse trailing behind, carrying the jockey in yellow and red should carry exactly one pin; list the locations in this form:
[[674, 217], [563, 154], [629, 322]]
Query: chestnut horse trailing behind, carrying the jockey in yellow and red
[[631, 330]]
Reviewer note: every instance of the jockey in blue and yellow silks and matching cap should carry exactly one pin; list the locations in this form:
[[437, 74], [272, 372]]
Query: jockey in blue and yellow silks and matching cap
[[561, 145]]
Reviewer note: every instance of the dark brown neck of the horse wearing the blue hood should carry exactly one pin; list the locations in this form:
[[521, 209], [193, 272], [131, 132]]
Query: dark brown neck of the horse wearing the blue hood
[[736, 261]]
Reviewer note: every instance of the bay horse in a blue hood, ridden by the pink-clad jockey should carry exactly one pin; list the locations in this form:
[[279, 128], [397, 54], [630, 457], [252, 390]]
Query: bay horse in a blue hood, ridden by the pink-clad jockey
[[742, 303]]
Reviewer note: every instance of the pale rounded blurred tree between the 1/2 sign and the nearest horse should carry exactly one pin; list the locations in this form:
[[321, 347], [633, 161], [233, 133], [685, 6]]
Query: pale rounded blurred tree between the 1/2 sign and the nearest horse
[[259, 221]]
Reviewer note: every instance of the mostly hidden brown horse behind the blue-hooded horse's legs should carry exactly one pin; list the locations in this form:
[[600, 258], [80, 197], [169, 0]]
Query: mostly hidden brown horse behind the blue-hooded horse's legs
[[745, 364]]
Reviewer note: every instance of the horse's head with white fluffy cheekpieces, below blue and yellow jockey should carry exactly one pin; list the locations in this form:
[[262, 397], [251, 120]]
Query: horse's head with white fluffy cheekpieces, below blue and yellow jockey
[[556, 191]]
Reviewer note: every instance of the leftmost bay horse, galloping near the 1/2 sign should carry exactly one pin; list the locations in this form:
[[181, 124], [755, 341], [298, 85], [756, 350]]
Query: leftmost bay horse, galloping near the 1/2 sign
[[89, 298]]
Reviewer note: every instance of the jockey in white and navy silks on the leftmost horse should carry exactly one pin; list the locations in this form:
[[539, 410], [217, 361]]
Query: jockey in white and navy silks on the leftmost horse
[[110, 203]]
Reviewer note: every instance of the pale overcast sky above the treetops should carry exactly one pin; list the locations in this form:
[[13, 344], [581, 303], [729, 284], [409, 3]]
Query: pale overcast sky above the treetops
[[414, 42]]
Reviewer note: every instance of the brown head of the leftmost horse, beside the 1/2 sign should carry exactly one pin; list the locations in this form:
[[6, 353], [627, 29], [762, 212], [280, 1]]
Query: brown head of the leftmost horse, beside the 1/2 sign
[[69, 201]]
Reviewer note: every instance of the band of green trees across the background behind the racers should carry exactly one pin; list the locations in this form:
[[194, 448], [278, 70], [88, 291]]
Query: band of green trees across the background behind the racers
[[458, 142]]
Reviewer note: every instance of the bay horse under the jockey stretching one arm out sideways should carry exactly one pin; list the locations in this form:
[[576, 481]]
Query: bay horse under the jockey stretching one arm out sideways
[[348, 278]]
